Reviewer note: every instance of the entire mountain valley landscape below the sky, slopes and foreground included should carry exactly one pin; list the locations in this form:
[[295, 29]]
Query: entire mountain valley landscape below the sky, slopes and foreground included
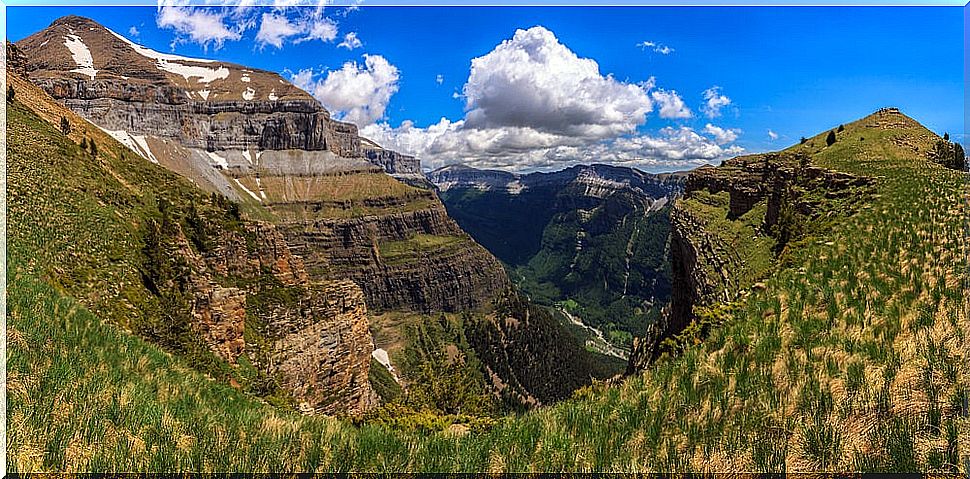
[[209, 271]]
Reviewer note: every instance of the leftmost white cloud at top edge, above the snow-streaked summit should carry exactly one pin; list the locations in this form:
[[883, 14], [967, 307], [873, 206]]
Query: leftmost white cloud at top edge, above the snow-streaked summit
[[205, 26]]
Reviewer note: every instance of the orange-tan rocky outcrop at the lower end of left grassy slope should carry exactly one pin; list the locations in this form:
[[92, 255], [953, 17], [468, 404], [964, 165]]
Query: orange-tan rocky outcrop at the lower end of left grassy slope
[[319, 344]]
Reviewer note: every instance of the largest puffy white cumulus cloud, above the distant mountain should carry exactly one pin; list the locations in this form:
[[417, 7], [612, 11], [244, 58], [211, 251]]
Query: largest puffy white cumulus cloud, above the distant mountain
[[531, 103]]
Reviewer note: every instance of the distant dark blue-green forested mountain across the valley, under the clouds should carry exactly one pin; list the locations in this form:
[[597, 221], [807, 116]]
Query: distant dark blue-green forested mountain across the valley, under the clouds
[[592, 239]]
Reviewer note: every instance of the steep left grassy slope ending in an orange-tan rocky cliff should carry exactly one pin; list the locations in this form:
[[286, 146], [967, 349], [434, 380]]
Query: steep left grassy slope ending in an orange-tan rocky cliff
[[146, 250]]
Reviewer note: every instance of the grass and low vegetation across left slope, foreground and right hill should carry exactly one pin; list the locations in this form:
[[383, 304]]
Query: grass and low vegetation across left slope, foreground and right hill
[[854, 356]]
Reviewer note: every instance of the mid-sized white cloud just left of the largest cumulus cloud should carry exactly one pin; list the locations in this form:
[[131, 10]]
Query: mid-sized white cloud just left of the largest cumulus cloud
[[355, 93]]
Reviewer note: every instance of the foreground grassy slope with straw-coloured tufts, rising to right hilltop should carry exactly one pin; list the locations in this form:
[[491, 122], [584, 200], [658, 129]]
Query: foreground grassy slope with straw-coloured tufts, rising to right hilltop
[[855, 357]]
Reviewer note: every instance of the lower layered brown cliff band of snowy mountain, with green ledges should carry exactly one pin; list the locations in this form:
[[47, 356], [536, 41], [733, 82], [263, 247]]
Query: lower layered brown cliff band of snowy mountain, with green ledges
[[455, 276]]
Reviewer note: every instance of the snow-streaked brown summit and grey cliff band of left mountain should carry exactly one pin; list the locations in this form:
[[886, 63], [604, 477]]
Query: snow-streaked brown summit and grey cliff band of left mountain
[[199, 103]]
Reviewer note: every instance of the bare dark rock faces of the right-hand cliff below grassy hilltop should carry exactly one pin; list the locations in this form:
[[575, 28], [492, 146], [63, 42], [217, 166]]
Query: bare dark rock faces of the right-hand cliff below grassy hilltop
[[705, 269]]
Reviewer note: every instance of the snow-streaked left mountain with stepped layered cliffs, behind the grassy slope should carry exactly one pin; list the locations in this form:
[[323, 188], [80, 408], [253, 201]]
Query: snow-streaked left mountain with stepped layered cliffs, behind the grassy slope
[[255, 138]]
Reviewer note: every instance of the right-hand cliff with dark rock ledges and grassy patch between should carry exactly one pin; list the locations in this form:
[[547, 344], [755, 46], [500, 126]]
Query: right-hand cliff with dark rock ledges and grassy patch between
[[764, 194]]
